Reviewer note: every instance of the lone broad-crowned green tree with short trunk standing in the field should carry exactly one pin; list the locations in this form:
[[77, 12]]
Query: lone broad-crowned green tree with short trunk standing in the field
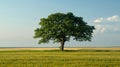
[[60, 27]]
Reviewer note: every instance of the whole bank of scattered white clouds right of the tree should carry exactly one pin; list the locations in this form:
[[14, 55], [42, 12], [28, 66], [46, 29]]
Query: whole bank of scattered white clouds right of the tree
[[101, 27]]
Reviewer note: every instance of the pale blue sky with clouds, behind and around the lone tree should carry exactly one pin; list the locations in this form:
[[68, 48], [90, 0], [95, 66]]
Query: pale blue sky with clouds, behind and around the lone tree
[[19, 19]]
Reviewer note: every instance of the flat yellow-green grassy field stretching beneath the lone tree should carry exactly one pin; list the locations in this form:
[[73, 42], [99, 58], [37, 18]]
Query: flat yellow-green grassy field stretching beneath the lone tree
[[79, 57]]
